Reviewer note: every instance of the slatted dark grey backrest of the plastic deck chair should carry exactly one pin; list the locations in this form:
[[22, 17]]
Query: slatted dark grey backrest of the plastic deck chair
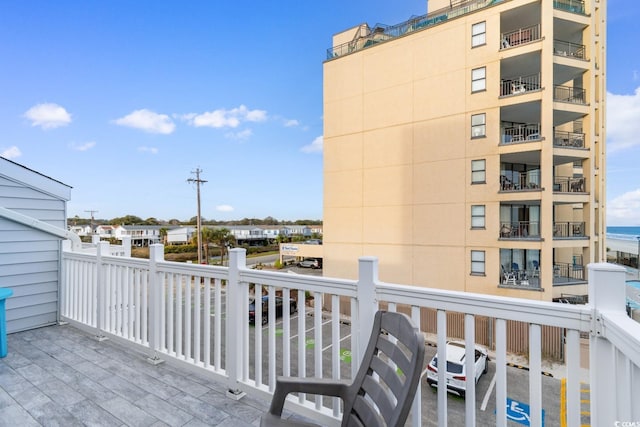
[[395, 354]]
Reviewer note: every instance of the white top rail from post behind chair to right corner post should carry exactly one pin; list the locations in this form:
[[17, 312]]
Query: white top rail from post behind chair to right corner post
[[536, 312]]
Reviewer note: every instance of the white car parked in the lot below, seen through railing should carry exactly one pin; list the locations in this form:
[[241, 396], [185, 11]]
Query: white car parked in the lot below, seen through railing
[[456, 370]]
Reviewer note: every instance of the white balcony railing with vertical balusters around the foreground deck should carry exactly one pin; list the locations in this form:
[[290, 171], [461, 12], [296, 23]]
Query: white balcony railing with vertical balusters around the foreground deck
[[197, 316]]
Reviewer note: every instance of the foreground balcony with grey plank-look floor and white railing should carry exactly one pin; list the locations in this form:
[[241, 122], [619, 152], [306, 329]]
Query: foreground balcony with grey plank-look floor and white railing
[[171, 342]]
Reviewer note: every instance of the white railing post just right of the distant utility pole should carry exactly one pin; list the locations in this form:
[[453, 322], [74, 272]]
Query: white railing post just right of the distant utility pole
[[237, 322]]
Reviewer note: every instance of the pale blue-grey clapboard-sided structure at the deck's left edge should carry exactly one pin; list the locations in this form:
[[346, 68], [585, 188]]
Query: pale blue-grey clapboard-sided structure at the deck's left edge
[[33, 216]]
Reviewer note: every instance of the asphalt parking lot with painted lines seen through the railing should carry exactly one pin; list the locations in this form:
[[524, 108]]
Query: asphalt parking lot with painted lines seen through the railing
[[517, 379]]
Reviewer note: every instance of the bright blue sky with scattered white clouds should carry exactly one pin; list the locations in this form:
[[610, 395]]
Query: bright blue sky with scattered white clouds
[[123, 100]]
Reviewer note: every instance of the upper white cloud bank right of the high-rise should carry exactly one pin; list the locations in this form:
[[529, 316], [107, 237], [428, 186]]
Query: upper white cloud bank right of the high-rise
[[623, 125]]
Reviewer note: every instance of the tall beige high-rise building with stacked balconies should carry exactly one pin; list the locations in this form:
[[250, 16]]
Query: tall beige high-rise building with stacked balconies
[[465, 148]]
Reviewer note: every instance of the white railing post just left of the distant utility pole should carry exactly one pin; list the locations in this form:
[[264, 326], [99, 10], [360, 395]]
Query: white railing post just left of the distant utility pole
[[156, 254]]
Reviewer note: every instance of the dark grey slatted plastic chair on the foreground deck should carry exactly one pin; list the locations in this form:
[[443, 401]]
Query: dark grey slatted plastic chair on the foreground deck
[[383, 390]]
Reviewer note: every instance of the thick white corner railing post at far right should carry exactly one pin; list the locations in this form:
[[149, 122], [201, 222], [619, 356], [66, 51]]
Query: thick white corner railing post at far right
[[606, 295]]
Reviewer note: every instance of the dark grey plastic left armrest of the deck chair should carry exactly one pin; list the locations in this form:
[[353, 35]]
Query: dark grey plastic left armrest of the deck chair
[[321, 386]]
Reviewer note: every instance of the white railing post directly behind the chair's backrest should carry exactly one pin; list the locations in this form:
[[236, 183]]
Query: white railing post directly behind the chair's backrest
[[367, 302]]
